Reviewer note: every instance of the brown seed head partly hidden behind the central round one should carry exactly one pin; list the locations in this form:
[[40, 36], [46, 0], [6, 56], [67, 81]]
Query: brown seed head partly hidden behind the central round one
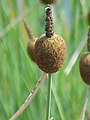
[[30, 50]]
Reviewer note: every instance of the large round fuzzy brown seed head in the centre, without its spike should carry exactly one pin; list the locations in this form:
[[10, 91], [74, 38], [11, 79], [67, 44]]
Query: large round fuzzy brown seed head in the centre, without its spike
[[50, 53]]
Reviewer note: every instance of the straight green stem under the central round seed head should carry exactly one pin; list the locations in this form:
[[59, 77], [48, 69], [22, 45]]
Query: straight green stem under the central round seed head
[[49, 97]]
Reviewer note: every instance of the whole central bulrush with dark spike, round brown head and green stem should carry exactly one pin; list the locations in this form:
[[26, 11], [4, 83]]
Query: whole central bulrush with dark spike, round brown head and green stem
[[50, 53]]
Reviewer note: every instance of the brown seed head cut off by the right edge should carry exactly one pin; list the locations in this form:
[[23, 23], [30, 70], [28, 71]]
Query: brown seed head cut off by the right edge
[[85, 68]]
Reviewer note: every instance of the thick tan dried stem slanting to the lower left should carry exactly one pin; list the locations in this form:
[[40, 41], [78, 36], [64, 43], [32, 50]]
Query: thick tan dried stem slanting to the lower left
[[29, 98]]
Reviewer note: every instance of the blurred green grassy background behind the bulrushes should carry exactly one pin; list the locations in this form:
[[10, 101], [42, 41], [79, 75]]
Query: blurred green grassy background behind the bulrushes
[[19, 74]]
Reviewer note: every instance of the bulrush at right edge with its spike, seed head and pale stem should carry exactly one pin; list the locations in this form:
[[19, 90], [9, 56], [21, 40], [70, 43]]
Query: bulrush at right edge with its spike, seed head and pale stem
[[84, 67]]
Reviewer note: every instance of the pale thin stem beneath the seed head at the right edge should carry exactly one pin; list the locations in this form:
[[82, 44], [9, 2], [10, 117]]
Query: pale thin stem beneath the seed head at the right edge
[[85, 105]]
